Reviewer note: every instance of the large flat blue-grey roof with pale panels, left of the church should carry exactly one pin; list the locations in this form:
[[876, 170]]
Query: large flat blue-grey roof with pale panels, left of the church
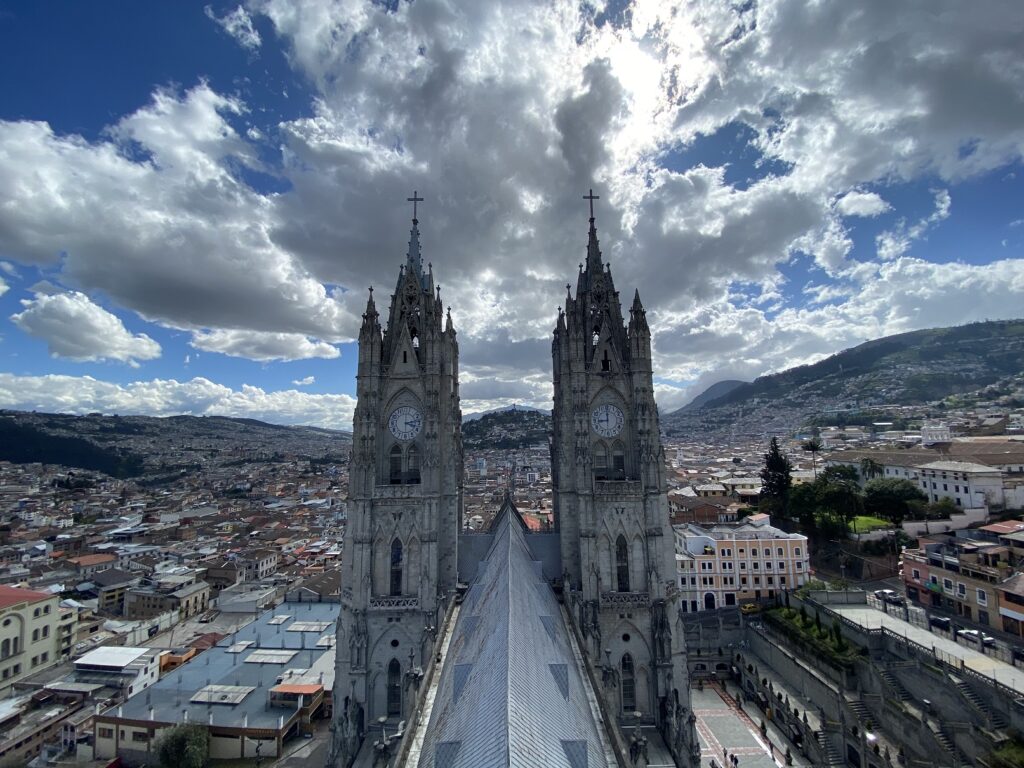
[[170, 698]]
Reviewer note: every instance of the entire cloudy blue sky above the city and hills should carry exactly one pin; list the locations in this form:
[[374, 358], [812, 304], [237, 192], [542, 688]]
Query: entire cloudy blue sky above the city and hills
[[195, 198]]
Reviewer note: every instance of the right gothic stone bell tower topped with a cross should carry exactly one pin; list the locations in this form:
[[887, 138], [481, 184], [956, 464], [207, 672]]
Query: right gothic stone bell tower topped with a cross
[[612, 506]]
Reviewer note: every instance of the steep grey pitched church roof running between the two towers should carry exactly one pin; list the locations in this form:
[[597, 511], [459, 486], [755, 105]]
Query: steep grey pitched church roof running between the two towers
[[510, 693]]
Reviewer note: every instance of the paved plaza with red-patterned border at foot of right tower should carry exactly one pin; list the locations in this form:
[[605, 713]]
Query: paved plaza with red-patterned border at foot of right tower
[[723, 727]]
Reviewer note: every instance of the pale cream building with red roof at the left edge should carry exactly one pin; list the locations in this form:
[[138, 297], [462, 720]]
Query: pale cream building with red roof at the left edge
[[35, 633]]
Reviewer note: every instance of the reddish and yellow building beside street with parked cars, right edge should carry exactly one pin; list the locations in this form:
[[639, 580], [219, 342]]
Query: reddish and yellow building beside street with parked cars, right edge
[[959, 576]]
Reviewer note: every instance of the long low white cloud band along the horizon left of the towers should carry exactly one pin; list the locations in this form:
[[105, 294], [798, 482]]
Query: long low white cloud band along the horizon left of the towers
[[168, 398]]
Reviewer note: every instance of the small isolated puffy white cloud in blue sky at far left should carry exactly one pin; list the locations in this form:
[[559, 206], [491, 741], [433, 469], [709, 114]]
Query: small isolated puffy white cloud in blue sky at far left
[[74, 327]]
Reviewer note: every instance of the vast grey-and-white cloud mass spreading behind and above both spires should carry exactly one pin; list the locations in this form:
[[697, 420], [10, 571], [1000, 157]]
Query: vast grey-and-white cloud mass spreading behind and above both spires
[[839, 99]]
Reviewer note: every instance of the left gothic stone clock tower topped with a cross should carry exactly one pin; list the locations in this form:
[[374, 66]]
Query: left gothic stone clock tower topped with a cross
[[405, 506]]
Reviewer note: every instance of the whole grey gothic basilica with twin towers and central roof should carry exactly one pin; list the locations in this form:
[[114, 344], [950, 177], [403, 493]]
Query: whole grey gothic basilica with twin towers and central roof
[[508, 648]]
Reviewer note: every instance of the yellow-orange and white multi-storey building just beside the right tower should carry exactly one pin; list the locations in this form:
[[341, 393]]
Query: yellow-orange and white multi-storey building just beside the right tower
[[728, 565]]
